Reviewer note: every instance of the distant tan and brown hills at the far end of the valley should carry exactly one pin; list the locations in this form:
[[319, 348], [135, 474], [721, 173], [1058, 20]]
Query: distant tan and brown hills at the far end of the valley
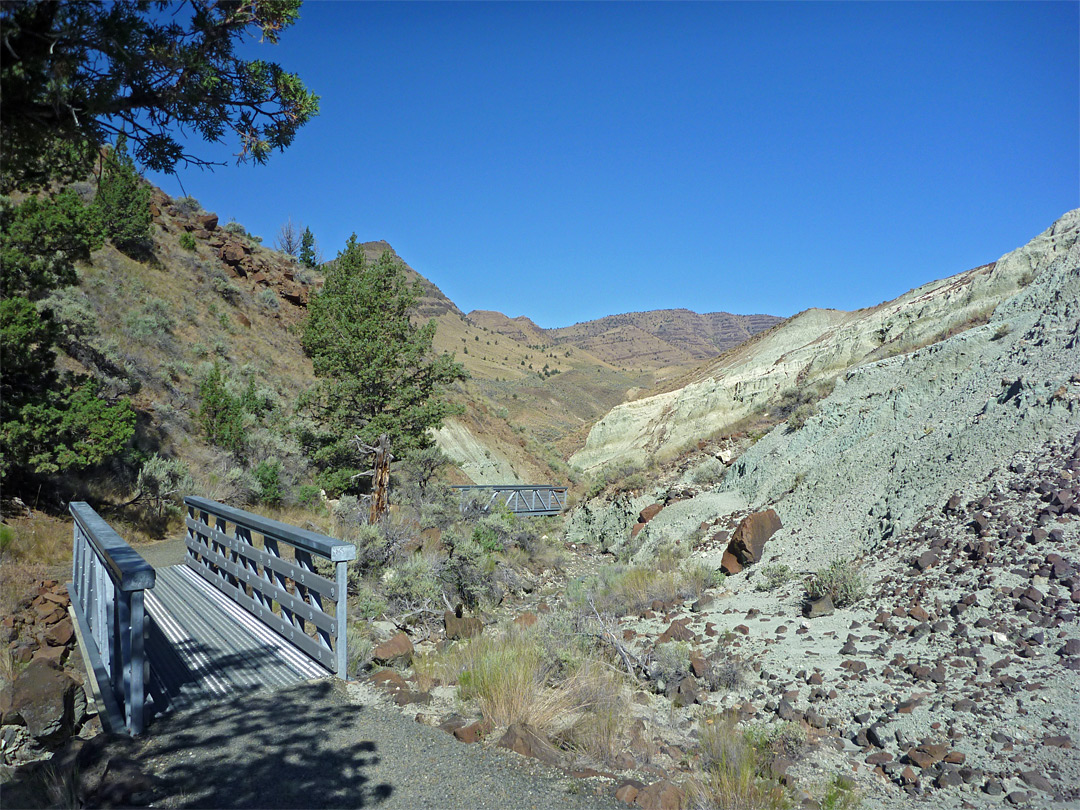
[[534, 393]]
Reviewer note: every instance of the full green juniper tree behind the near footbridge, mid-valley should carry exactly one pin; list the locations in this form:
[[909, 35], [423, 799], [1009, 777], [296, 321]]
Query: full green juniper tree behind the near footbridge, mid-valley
[[376, 369]]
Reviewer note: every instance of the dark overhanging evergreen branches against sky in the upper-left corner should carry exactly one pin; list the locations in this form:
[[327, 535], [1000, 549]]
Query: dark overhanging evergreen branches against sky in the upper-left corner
[[76, 74]]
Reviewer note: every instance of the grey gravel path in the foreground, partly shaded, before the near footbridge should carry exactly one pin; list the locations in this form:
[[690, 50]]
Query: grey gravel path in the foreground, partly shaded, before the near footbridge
[[315, 747]]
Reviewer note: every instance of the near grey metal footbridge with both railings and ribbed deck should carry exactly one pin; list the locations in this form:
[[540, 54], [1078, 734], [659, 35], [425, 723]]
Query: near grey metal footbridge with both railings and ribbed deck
[[256, 604]]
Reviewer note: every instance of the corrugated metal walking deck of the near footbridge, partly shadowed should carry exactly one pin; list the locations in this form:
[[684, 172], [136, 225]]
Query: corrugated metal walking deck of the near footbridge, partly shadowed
[[204, 647]]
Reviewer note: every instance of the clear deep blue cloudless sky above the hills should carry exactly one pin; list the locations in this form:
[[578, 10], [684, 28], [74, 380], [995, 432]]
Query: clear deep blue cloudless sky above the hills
[[569, 161]]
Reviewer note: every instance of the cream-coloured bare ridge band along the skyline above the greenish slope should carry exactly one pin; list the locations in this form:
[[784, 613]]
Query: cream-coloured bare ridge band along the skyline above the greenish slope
[[814, 347]]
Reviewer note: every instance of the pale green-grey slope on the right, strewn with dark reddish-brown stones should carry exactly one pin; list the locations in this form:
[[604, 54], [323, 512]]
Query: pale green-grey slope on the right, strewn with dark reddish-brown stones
[[939, 489]]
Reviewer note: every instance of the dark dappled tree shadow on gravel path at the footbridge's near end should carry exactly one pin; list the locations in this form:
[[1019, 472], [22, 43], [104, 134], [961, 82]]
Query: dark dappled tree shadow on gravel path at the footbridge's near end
[[295, 748]]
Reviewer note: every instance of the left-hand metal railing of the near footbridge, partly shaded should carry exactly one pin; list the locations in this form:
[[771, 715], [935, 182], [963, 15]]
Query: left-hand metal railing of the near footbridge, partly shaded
[[109, 580]]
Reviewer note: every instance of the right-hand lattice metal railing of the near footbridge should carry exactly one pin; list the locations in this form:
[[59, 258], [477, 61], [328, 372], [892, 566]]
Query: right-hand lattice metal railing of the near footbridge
[[286, 595]]
